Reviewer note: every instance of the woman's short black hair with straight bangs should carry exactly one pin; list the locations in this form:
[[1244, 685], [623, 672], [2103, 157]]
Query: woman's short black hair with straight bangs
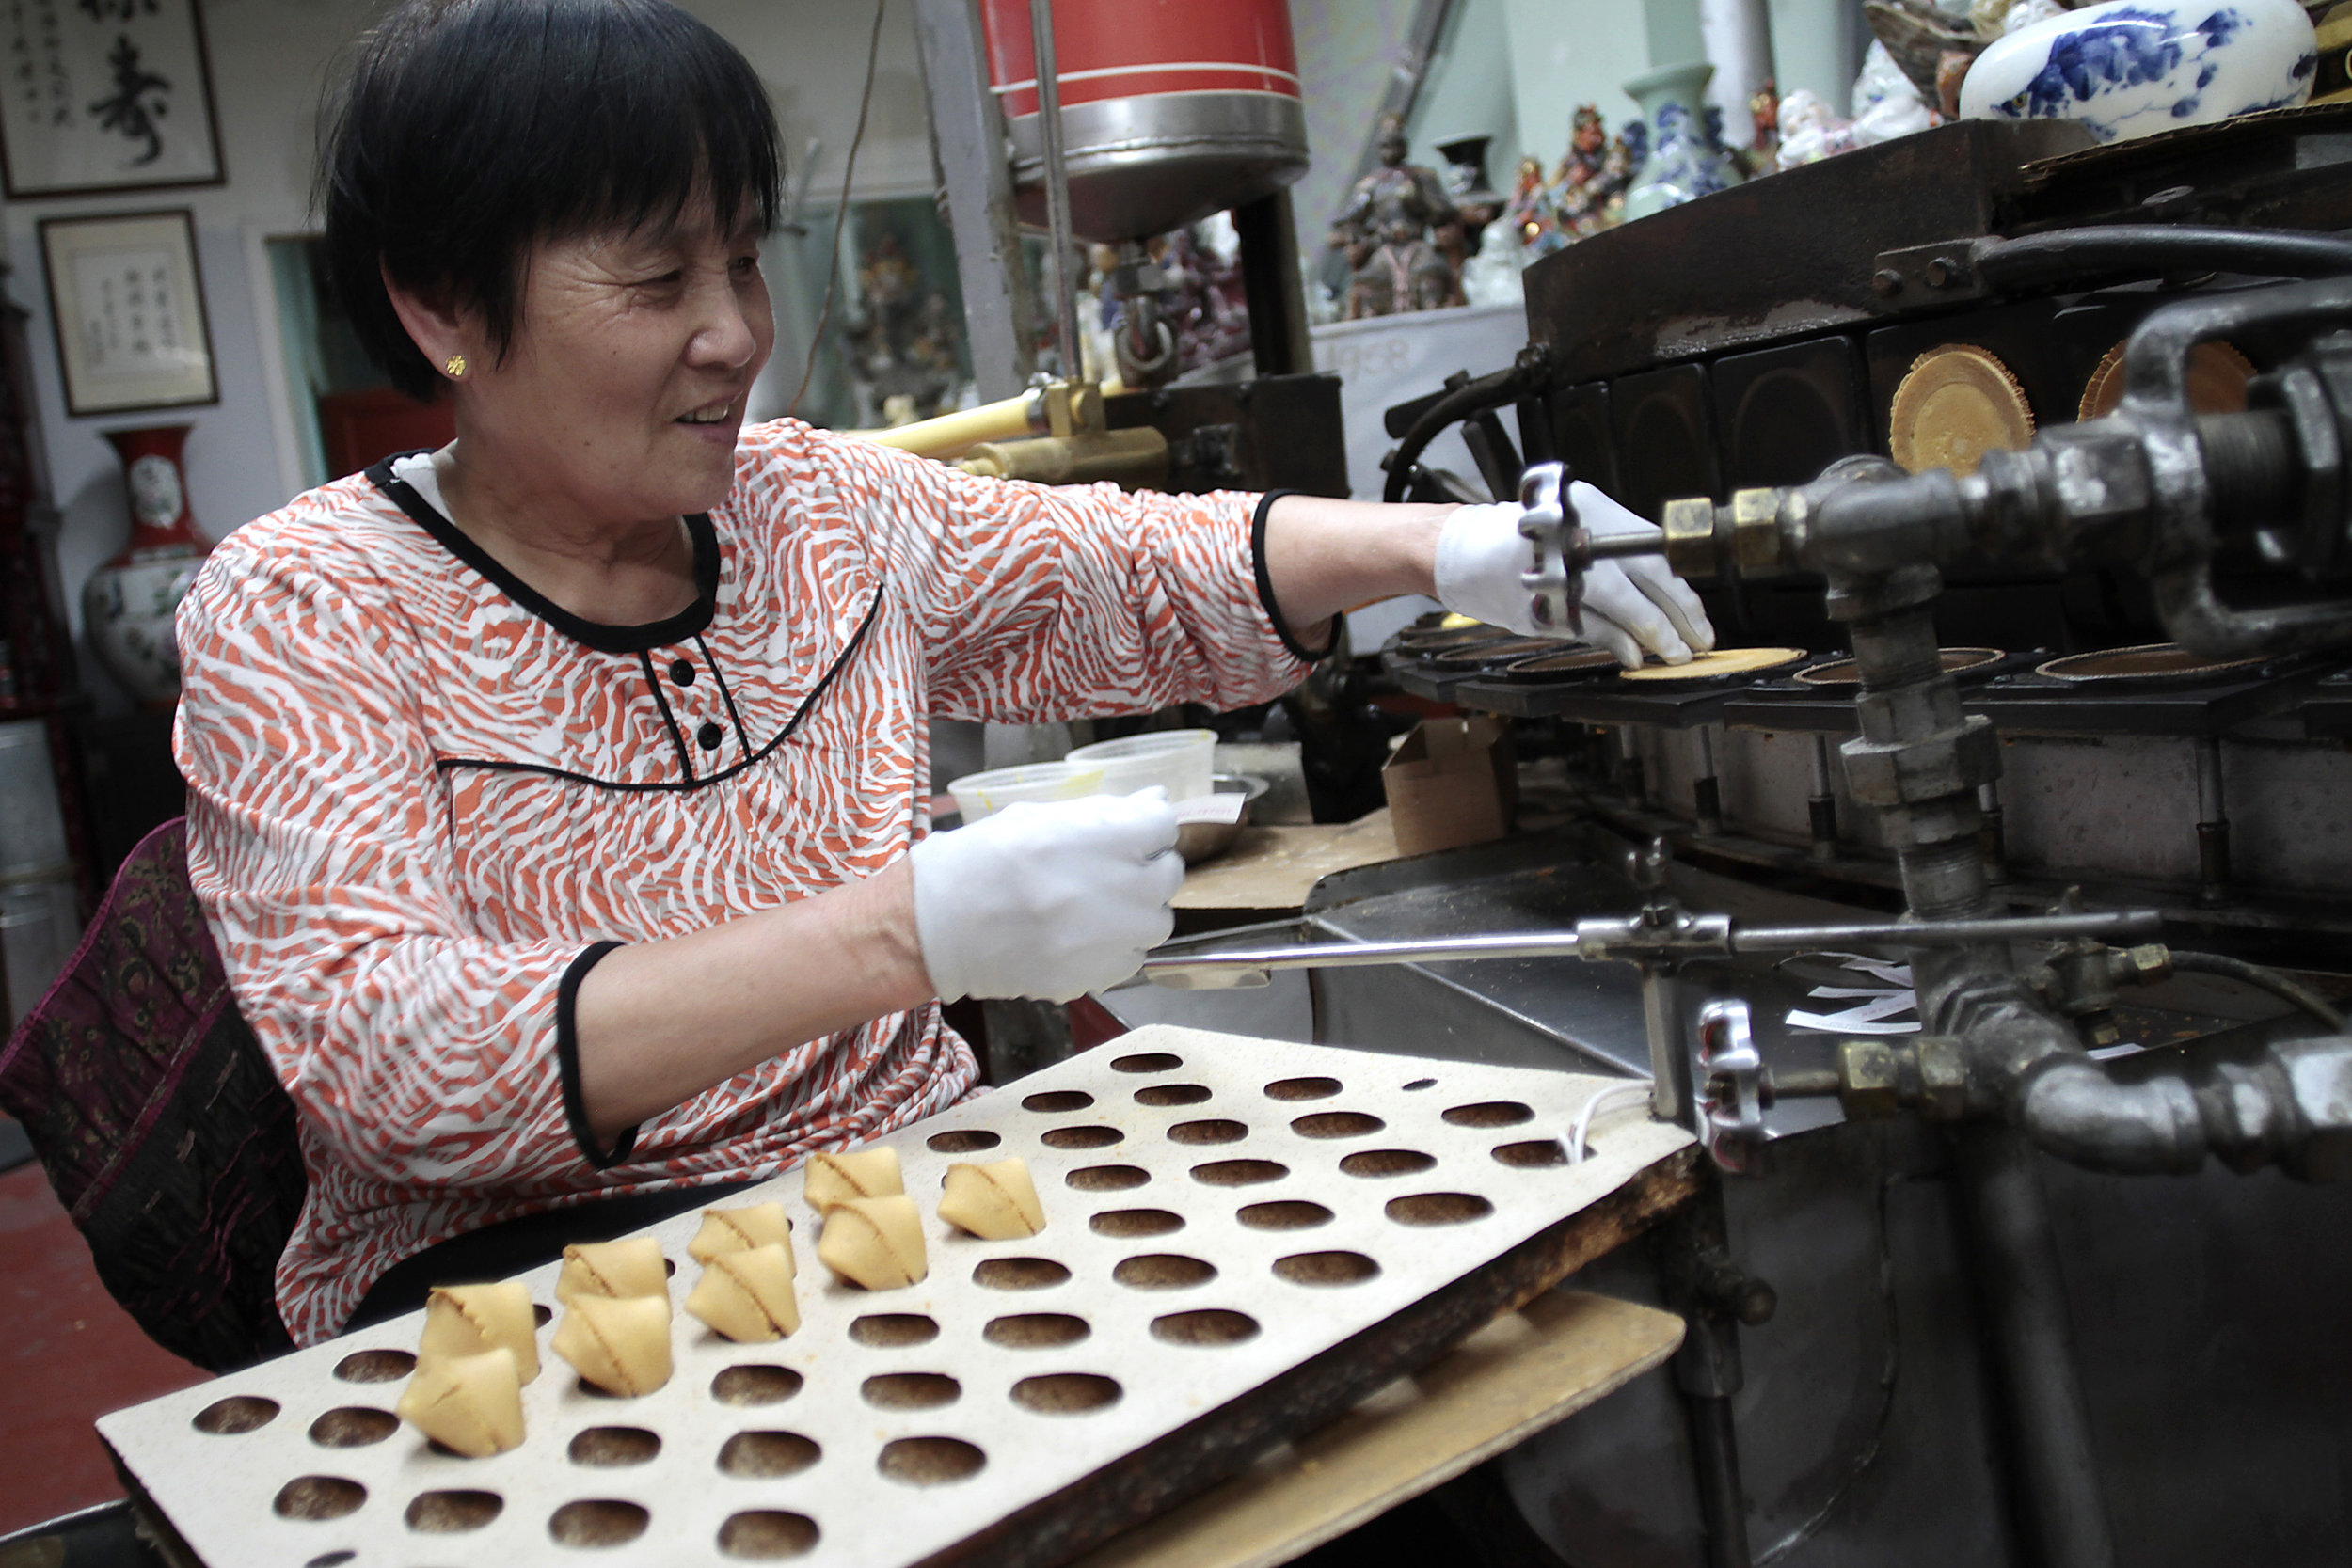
[[469, 130]]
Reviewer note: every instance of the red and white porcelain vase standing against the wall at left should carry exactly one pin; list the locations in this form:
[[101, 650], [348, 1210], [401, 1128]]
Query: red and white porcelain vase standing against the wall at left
[[133, 601]]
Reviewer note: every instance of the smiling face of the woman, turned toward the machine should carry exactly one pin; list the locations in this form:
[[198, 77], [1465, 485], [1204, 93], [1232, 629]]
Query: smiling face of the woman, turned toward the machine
[[624, 387]]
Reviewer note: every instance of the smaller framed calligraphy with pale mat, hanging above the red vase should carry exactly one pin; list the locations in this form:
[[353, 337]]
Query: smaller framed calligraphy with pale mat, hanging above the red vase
[[128, 307]]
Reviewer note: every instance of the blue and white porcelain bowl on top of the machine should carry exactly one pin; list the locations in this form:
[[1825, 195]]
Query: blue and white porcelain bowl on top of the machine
[[2144, 67]]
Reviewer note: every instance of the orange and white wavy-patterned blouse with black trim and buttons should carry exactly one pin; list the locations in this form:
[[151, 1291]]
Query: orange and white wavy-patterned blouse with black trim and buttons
[[425, 800]]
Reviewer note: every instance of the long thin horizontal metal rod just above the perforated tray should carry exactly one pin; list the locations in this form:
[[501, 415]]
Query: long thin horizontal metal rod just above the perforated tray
[[1610, 942]]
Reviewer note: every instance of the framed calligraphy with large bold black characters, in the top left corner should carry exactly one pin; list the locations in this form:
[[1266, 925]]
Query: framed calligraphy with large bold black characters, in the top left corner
[[105, 95]]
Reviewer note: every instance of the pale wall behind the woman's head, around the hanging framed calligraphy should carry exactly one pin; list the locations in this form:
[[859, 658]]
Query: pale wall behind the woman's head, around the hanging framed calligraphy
[[269, 65]]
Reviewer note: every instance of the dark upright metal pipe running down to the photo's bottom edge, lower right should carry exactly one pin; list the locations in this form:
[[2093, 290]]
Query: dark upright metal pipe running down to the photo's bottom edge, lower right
[[2064, 1515]]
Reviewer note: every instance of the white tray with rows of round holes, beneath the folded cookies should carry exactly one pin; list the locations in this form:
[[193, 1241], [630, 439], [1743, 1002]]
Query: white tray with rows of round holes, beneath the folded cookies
[[1231, 1231]]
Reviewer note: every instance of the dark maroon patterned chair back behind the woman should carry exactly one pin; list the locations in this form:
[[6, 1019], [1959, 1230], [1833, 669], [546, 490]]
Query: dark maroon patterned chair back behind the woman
[[159, 1120]]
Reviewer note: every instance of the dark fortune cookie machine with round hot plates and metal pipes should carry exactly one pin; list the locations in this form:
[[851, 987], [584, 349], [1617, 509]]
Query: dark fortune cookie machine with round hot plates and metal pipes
[[1991, 934]]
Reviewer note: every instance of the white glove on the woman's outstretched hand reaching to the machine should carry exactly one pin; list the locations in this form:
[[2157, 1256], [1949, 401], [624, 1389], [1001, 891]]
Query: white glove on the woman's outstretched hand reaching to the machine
[[1631, 605]]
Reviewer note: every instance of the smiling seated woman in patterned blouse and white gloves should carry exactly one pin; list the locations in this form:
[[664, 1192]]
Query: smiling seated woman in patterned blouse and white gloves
[[559, 798]]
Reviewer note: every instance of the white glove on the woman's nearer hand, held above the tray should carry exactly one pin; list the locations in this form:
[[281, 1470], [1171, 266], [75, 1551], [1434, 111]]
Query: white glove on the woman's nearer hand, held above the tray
[[1048, 899]]
